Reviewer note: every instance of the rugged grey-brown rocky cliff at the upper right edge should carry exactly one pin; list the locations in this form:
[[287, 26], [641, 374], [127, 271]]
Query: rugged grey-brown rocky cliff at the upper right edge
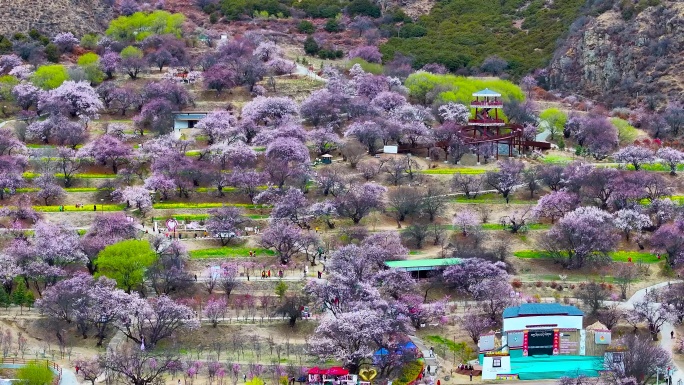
[[617, 59]]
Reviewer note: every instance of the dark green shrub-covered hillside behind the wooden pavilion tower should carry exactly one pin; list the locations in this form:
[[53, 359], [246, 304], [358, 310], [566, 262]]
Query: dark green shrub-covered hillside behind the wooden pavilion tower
[[462, 33]]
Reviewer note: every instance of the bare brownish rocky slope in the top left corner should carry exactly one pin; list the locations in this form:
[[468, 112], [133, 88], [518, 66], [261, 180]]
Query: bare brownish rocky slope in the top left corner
[[53, 16]]
